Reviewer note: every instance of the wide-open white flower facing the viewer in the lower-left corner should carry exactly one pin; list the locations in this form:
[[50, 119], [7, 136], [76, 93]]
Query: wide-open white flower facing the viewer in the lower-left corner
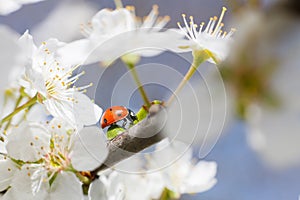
[[44, 161]]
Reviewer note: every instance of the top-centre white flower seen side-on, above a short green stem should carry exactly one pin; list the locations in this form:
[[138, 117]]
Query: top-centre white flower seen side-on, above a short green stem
[[113, 33]]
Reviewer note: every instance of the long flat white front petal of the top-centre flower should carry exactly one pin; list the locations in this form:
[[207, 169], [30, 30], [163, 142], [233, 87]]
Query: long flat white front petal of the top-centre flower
[[135, 42]]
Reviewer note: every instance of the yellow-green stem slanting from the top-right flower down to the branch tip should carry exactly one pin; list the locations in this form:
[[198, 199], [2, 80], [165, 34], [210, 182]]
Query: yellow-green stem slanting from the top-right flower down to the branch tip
[[199, 57]]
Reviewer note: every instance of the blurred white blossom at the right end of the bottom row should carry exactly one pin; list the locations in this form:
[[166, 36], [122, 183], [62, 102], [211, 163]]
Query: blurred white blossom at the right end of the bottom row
[[179, 173]]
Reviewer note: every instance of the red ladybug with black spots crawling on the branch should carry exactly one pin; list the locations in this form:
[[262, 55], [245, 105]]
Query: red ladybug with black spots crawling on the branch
[[115, 114]]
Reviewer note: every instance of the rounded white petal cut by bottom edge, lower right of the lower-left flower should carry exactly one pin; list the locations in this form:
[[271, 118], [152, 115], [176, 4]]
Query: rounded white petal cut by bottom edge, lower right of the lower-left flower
[[66, 186]]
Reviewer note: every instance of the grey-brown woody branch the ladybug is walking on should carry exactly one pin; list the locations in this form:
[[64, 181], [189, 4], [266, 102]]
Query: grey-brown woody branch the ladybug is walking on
[[135, 139]]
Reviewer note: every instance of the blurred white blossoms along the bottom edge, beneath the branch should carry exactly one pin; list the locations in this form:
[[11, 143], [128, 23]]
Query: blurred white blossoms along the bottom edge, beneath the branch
[[171, 170]]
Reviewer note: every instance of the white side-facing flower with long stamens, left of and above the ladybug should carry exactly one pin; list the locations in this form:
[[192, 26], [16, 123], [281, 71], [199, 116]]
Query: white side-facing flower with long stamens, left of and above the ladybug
[[52, 80]]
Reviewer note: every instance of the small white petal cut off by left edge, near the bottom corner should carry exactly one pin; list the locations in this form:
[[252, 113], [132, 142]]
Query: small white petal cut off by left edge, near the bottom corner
[[7, 168]]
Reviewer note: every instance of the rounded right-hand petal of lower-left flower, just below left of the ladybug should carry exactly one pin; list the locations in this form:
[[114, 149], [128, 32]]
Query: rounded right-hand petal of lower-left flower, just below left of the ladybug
[[89, 150]]
